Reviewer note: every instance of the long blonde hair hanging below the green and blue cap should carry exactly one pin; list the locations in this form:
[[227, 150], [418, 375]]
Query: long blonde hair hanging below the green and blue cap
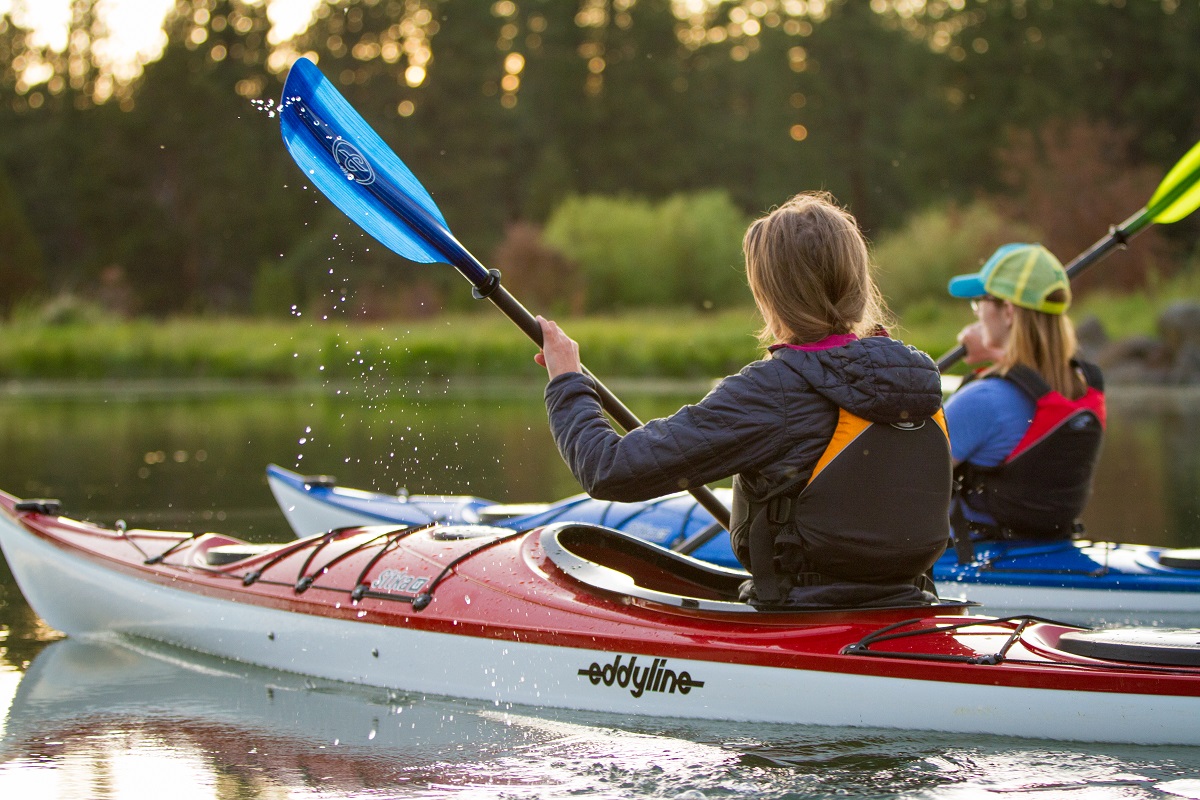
[[1047, 344]]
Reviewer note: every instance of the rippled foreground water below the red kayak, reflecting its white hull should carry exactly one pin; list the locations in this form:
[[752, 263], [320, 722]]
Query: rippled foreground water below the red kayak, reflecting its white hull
[[118, 720]]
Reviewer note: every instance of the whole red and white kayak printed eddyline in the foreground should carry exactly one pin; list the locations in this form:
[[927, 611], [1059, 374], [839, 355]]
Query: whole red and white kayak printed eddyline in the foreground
[[581, 617]]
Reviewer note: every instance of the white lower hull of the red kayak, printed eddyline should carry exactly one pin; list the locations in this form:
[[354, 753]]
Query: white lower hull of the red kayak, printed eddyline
[[81, 597]]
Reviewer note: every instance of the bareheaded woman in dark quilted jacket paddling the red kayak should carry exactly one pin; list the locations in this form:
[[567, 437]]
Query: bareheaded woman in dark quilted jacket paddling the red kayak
[[836, 440]]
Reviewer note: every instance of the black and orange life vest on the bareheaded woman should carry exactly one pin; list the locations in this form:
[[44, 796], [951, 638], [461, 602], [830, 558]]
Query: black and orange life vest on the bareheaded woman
[[874, 512]]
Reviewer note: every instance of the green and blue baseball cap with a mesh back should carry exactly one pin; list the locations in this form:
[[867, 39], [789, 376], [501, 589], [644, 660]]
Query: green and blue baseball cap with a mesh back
[[1025, 275]]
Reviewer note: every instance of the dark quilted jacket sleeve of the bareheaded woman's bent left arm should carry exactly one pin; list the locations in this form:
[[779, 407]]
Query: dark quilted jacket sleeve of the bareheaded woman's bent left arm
[[741, 424]]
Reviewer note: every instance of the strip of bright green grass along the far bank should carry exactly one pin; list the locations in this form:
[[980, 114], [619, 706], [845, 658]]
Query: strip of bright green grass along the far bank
[[659, 345]]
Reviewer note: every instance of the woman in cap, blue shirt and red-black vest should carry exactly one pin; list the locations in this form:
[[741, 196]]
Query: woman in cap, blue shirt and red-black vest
[[1025, 431]]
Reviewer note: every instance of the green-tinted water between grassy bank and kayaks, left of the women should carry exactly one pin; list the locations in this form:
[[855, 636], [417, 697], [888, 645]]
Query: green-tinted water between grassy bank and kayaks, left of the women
[[199, 462]]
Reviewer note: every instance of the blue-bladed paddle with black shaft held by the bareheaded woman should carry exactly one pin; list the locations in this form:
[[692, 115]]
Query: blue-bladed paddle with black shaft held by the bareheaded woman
[[353, 167]]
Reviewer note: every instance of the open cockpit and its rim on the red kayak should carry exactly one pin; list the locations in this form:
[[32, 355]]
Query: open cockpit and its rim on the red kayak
[[644, 573]]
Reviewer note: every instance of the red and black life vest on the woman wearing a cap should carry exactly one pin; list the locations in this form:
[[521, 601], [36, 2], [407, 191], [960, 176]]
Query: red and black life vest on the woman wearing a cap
[[1042, 486]]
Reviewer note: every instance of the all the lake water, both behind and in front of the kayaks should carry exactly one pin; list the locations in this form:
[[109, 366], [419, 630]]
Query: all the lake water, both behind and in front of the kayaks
[[112, 721]]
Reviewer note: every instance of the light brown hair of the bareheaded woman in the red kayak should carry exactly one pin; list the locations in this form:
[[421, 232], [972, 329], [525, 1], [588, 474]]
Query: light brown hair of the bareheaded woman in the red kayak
[[811, 273]]
